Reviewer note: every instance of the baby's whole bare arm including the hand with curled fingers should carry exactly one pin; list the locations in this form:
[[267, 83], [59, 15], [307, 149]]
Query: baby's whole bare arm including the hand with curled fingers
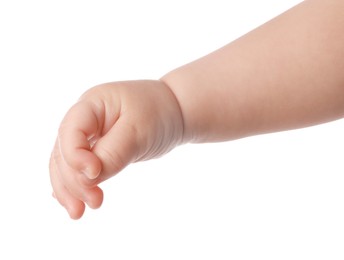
[[285, 74]]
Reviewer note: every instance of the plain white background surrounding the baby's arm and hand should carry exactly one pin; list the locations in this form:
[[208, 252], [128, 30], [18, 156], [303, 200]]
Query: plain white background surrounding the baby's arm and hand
[[276, 196]]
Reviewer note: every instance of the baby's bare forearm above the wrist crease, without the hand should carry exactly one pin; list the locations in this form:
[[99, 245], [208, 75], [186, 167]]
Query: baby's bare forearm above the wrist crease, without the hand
[[286, 74]]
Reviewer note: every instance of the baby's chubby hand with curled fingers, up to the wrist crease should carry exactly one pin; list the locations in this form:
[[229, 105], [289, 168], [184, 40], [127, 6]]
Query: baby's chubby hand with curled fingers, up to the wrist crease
[[111, 126]]
